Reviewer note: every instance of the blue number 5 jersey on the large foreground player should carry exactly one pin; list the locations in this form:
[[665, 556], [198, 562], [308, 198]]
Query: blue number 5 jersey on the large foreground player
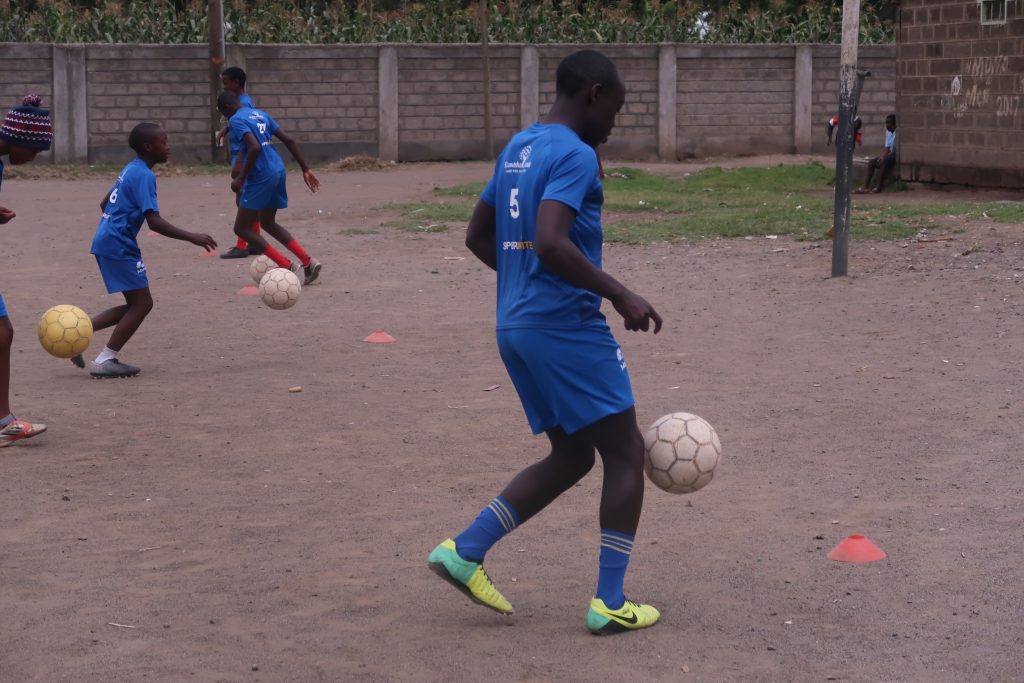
[[544, 162]]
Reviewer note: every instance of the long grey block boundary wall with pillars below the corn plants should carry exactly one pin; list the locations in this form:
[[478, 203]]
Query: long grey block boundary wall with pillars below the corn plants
[[426, 102]]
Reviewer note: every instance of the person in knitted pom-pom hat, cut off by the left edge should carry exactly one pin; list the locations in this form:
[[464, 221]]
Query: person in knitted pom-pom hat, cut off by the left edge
[[25, 133]]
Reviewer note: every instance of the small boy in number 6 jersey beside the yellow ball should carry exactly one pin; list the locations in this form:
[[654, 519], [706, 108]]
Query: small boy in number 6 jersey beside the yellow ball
[[132, 201]]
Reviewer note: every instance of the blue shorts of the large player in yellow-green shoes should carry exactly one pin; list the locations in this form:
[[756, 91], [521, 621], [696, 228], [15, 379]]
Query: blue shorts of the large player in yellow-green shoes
[[567, 378]]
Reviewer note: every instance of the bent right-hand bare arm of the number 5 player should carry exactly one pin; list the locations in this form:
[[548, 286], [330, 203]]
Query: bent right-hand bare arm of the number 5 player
[[559, 254]]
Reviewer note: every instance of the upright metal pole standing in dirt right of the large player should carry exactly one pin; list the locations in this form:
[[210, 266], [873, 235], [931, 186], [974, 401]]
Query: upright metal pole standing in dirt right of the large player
[[844, 141]]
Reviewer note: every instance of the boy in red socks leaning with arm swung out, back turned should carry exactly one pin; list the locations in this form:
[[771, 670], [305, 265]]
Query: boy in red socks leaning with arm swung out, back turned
[[260, 180]]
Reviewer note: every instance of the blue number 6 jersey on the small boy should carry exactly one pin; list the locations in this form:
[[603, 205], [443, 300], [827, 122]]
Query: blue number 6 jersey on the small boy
[[133, 197]]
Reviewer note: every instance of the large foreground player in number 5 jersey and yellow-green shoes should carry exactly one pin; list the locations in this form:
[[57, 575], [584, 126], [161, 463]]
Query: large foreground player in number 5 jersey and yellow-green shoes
[[538, 225]]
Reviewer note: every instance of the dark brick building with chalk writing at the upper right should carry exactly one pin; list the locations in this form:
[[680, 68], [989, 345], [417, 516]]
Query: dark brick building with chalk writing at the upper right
[[960, 92]]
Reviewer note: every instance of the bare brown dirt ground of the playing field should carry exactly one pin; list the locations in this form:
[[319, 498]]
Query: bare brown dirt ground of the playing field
[[202, 524]]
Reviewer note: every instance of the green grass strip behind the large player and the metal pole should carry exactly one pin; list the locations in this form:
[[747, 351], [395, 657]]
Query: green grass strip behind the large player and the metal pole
[[797, 201]]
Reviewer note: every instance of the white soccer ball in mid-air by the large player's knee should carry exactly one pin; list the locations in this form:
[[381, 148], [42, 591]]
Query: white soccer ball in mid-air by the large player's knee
[[681, 453]]
